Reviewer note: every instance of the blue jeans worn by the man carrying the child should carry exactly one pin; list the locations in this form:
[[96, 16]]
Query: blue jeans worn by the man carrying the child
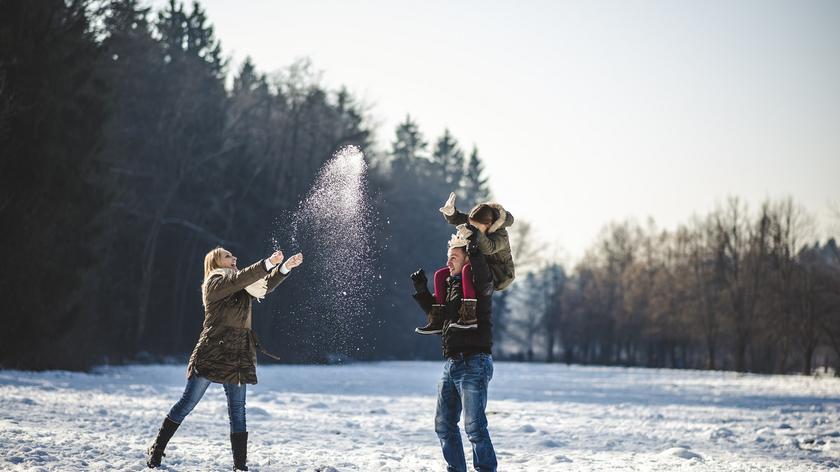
[[464, 384]]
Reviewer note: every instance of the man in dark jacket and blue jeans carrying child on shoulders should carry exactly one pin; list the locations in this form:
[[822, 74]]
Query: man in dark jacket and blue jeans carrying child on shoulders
[[469, 363]]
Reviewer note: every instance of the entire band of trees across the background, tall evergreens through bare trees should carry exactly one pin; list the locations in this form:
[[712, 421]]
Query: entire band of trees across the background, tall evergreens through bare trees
[[128, 150]]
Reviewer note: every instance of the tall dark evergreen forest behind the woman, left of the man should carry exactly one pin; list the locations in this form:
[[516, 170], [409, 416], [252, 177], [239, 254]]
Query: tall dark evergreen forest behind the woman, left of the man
[[125, 158]]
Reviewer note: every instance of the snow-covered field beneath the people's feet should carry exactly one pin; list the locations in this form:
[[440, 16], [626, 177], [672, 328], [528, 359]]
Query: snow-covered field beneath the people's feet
[[379, 417]]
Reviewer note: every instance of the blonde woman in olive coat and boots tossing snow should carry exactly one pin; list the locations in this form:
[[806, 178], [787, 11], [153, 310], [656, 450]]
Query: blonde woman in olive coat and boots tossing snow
[[226, 350]]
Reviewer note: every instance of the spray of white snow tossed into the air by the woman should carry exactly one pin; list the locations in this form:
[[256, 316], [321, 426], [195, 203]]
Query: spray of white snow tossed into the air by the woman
[[332, 226]]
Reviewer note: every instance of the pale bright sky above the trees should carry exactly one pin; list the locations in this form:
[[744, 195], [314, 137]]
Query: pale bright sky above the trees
[[586, 112]]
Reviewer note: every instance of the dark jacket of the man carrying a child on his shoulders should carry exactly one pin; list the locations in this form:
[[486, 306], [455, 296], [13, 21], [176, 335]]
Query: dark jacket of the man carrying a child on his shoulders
[[466, 341]]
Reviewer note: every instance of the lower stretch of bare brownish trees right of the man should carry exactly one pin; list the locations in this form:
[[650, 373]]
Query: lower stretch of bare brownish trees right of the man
[[736, 290]]
